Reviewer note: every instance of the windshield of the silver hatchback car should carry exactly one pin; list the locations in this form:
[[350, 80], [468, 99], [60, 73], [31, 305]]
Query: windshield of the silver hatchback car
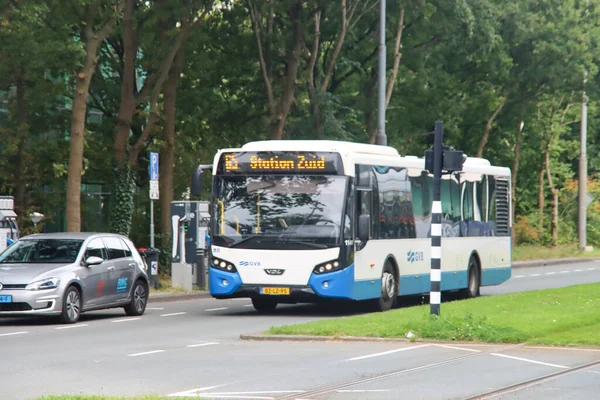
[[38, 251]]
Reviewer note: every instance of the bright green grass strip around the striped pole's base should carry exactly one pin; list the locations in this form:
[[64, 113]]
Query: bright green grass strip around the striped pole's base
[[566, 317]]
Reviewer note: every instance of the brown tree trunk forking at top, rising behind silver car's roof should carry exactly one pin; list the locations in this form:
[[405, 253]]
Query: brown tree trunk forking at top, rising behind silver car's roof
[[78, 116]]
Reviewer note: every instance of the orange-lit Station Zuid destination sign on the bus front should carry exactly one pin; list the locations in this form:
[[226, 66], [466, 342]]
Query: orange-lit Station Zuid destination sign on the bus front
[[279, 162]]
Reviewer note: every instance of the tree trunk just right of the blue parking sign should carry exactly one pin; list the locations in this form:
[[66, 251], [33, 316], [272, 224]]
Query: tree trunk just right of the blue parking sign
[[167, 156]]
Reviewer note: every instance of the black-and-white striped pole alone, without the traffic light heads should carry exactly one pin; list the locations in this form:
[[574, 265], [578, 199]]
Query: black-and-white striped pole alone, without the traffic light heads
[[436, 223]]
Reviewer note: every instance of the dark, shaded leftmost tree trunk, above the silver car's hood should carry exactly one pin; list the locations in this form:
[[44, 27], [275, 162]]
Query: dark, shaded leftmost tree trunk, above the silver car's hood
[[22, 133]]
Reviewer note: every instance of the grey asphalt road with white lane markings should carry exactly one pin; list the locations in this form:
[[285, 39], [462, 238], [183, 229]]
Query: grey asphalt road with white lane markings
[[192, 348]]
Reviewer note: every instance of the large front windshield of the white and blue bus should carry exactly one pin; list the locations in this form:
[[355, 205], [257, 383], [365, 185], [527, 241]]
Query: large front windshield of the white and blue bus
[[280, 211]]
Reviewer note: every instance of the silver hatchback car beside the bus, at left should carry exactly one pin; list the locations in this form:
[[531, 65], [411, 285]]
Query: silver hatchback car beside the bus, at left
[[66, 274]]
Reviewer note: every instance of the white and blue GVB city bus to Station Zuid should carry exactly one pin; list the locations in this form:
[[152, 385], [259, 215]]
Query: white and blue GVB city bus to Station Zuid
[[305, 221]]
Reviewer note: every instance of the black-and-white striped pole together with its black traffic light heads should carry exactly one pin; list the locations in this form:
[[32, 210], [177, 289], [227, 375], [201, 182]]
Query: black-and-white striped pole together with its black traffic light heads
[[441, 158]]
